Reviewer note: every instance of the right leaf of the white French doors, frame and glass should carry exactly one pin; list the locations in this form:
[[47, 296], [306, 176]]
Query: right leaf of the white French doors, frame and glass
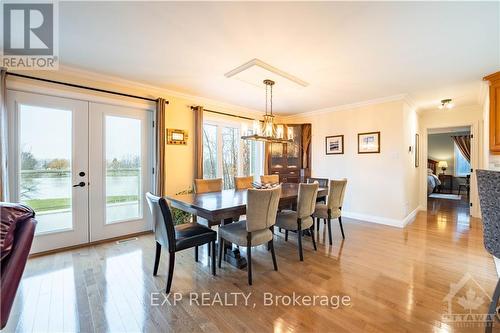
[[120, 170]]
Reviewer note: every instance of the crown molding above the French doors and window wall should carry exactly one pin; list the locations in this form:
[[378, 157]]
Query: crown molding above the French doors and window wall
[[154, 91]]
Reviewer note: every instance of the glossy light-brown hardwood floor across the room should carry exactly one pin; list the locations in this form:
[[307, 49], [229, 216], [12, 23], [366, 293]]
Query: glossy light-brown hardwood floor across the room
[[397, 280]]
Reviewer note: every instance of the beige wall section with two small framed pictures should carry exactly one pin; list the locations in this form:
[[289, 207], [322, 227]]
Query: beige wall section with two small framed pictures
[[377, 188]]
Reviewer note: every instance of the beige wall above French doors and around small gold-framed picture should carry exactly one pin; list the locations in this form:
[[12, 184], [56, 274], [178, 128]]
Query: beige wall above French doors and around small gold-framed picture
[[179, 159]]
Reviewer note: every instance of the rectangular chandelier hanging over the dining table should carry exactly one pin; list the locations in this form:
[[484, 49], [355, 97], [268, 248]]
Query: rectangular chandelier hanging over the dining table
[[267, 130]]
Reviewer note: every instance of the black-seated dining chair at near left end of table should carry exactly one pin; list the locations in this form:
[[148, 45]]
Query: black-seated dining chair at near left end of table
[[176, 238]]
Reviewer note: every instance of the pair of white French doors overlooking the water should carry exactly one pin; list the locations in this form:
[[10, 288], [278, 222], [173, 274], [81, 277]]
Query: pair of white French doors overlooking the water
[[83, 167]]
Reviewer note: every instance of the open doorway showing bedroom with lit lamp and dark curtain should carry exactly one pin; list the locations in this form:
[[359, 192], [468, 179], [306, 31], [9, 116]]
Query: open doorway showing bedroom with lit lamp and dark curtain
[[449, 169]]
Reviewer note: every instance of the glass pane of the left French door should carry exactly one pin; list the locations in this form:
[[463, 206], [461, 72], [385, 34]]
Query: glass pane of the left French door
[[45, 166]]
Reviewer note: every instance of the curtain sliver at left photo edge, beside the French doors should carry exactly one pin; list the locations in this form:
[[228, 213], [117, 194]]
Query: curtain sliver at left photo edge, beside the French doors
[[3, 138]]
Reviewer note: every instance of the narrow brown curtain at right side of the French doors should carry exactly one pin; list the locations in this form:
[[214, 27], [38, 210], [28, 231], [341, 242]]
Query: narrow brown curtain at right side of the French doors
[[160, 147]]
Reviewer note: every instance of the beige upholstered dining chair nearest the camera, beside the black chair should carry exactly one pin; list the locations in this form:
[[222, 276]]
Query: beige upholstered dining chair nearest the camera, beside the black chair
[[262, 206]]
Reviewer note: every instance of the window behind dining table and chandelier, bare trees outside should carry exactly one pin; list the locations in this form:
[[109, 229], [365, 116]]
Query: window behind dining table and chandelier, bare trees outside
[[225, 155]]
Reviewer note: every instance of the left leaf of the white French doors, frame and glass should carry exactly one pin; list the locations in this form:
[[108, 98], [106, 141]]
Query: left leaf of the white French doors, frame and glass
[[49, 156]]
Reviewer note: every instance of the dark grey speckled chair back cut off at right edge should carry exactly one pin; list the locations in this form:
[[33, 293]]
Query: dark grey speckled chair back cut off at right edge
[[488, 183]]
